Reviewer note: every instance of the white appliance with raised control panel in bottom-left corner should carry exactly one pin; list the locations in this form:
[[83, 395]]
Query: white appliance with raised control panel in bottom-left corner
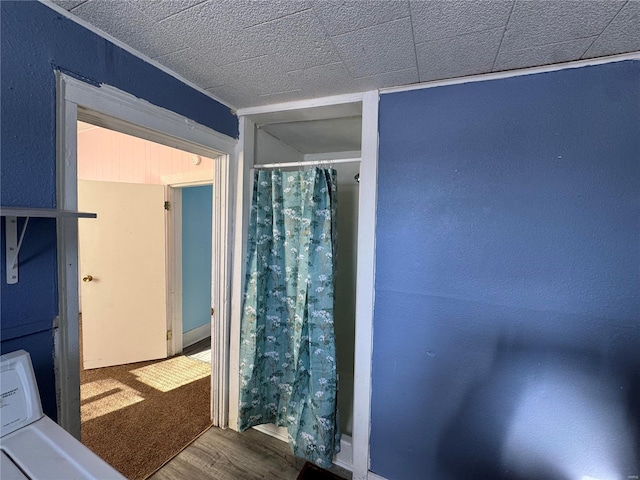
[[34, 446]]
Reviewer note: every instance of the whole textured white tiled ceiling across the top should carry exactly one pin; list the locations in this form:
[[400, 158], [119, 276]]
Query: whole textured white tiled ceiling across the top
[[258, 52]]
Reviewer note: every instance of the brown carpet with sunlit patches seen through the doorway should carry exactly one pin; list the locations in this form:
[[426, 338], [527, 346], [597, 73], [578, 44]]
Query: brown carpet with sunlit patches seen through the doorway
[[138, 416]]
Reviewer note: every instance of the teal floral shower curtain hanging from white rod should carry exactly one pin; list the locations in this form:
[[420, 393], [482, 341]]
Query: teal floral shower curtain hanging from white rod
[[287, 351]]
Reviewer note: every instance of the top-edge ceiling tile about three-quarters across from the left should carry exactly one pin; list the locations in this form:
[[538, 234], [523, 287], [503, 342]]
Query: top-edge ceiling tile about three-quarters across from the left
[[440, 19]]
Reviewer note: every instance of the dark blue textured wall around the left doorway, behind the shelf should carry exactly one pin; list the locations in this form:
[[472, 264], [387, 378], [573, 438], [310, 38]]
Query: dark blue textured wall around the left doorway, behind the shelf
[[36, 41]]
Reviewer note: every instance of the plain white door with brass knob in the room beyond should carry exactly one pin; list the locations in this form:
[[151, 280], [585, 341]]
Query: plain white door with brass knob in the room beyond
[[122, 267]]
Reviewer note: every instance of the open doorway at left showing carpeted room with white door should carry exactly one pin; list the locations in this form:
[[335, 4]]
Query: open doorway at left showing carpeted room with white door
[[145, 377]]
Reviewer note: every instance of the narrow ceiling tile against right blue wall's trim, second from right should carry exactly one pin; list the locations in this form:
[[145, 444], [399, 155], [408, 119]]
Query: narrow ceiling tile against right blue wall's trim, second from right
[[543, 54]]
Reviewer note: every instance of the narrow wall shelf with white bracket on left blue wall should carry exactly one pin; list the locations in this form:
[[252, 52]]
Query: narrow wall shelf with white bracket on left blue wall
[[12, 242]]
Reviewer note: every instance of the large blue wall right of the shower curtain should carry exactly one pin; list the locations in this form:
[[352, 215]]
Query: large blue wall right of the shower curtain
[[508, 279]]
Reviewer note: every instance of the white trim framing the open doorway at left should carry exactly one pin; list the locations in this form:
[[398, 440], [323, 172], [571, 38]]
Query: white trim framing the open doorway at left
[[111, 108]]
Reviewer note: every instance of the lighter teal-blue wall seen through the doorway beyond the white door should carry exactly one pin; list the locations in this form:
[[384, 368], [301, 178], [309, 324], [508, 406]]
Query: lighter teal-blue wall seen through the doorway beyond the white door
[[196, 256]]
